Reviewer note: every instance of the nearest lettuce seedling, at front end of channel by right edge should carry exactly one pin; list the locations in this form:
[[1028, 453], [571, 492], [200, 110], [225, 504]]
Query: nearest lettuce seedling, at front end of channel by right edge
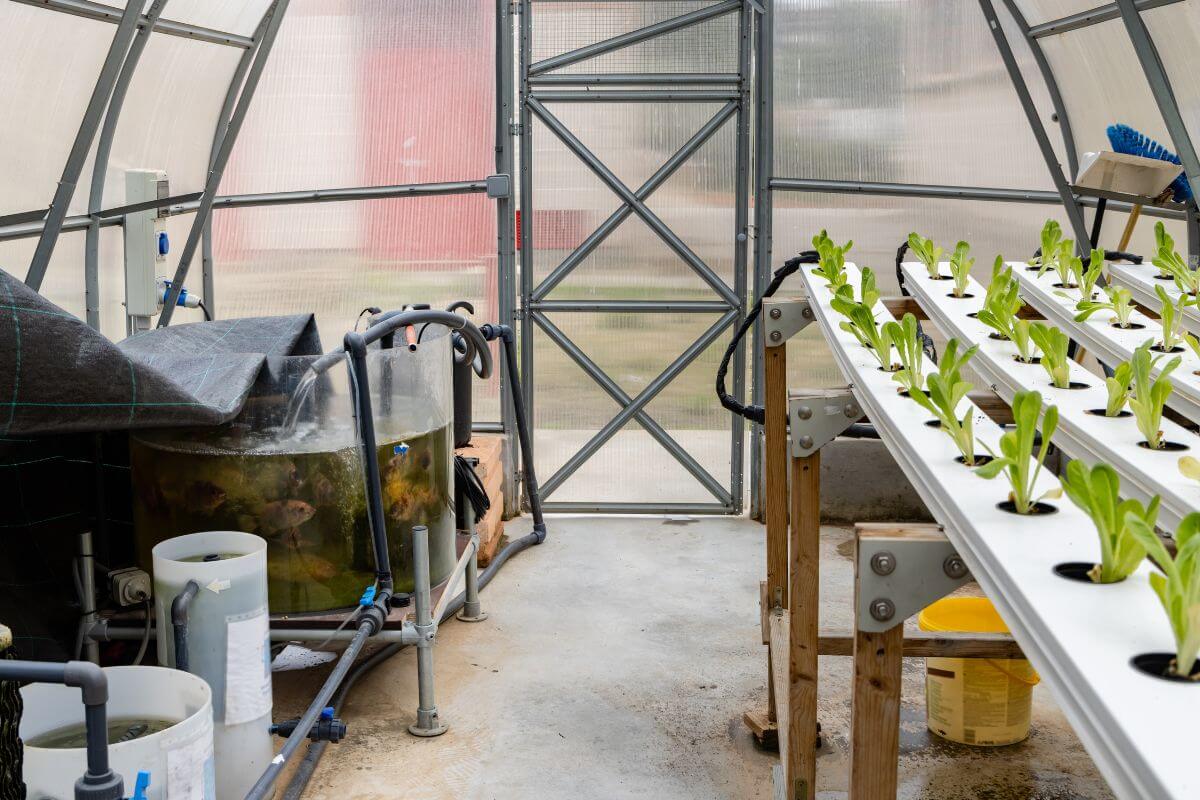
[[1179, 586]]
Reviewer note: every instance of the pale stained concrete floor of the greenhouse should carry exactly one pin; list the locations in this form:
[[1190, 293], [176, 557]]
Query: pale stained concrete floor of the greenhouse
[[617, 663]]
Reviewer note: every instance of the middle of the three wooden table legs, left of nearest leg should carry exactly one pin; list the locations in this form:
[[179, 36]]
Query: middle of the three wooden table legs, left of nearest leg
[[805, 596]]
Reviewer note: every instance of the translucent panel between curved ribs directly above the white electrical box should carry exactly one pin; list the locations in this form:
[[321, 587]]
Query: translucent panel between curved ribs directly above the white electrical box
[[170, 117]]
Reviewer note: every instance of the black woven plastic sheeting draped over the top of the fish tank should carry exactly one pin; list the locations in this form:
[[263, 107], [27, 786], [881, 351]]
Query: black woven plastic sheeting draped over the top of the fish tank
[[59, 376]]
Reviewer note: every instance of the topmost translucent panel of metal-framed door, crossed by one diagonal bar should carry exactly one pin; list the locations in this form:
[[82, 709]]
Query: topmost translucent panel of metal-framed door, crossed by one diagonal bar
[[706, 47]]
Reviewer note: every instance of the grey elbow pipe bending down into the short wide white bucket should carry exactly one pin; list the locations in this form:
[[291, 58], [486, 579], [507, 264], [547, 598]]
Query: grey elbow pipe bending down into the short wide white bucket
[[100, 783]]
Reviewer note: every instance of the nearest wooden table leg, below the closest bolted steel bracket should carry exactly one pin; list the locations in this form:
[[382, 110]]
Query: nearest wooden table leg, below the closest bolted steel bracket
[[875, 712]]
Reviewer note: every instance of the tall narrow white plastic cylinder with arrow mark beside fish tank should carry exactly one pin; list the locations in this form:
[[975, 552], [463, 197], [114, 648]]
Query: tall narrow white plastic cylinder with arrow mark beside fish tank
[[229, 643]]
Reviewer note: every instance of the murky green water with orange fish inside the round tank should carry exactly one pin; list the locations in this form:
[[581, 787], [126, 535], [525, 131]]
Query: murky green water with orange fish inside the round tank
[[303, 491]]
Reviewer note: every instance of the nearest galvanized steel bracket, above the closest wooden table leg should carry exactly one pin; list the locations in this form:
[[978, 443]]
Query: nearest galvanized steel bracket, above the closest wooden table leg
[[901, 575]]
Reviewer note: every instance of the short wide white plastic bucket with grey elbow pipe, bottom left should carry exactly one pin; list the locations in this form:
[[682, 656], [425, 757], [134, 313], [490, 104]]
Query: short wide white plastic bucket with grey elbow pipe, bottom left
[[179, 759]]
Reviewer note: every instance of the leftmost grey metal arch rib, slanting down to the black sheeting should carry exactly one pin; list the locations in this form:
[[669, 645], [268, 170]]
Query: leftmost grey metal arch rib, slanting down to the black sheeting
[[93, 117]]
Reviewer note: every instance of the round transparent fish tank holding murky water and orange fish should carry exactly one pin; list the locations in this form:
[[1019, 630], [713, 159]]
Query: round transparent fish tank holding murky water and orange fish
[[290, 470]]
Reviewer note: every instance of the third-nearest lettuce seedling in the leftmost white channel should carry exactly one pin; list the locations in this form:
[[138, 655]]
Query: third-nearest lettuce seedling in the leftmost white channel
[[1017, 459]]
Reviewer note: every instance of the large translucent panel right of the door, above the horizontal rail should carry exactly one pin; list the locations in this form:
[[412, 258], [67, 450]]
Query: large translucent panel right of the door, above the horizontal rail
[[913, 93]]
